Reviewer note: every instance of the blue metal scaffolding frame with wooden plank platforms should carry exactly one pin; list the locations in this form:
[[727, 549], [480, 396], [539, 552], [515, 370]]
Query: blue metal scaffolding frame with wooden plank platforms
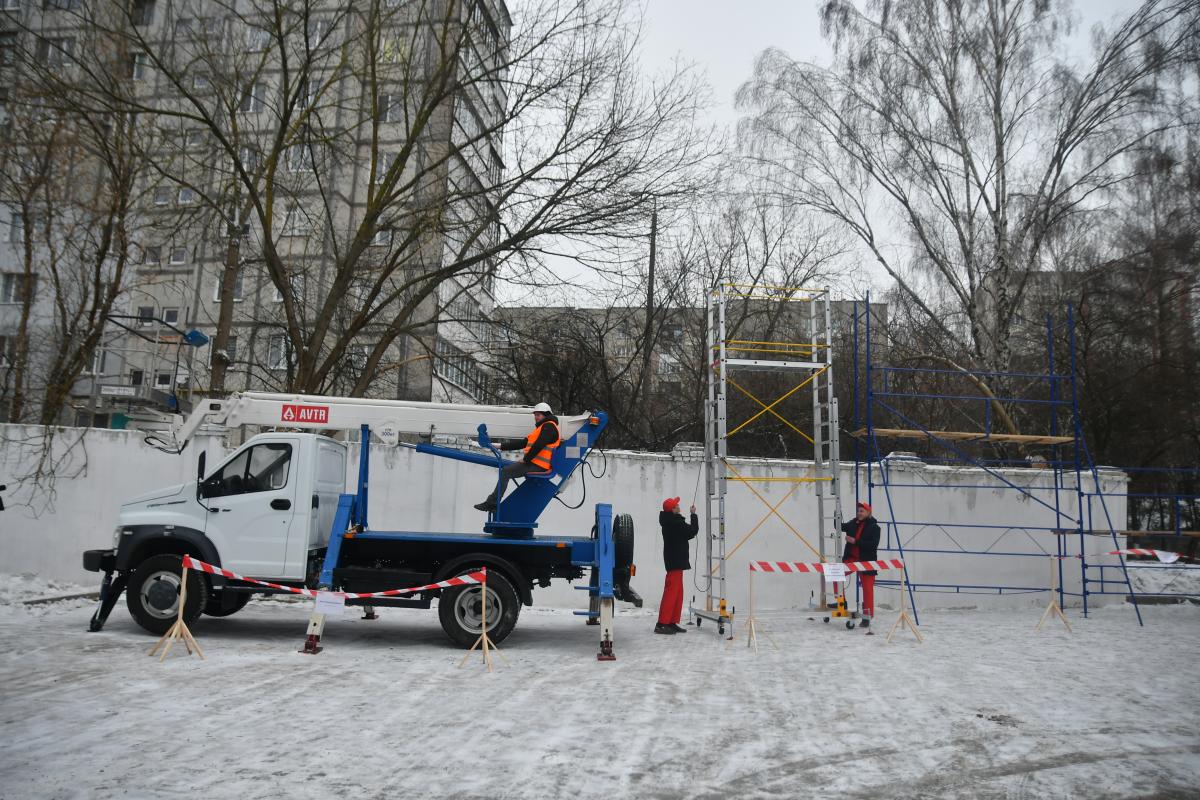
[[1070, 462]]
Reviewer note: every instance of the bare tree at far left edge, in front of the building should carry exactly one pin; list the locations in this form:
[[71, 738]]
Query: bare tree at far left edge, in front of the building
[[71, 183]]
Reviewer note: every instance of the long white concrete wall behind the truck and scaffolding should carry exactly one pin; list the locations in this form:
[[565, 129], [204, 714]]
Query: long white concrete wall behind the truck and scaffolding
[[47, 527]]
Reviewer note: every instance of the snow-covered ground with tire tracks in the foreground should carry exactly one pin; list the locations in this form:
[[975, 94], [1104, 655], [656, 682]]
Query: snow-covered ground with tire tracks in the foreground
[[986, 708]]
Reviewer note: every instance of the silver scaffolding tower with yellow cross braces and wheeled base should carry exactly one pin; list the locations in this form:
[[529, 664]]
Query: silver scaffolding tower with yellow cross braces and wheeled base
[[813, 360]]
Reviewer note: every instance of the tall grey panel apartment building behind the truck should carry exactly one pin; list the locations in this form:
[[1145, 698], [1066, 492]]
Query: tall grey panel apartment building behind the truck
[[311, 179]]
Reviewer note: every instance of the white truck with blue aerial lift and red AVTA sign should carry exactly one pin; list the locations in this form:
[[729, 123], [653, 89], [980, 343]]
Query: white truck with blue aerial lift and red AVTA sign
[[278, 509]]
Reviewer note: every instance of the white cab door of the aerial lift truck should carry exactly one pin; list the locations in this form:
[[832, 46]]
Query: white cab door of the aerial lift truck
[[253, 504]]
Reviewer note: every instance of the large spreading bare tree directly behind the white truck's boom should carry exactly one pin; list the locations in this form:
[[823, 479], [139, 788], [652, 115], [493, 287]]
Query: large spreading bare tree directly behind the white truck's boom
[[482, 147]]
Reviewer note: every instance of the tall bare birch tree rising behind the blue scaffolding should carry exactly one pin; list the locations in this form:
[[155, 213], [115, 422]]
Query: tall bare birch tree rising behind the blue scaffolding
[[952, 140]]
